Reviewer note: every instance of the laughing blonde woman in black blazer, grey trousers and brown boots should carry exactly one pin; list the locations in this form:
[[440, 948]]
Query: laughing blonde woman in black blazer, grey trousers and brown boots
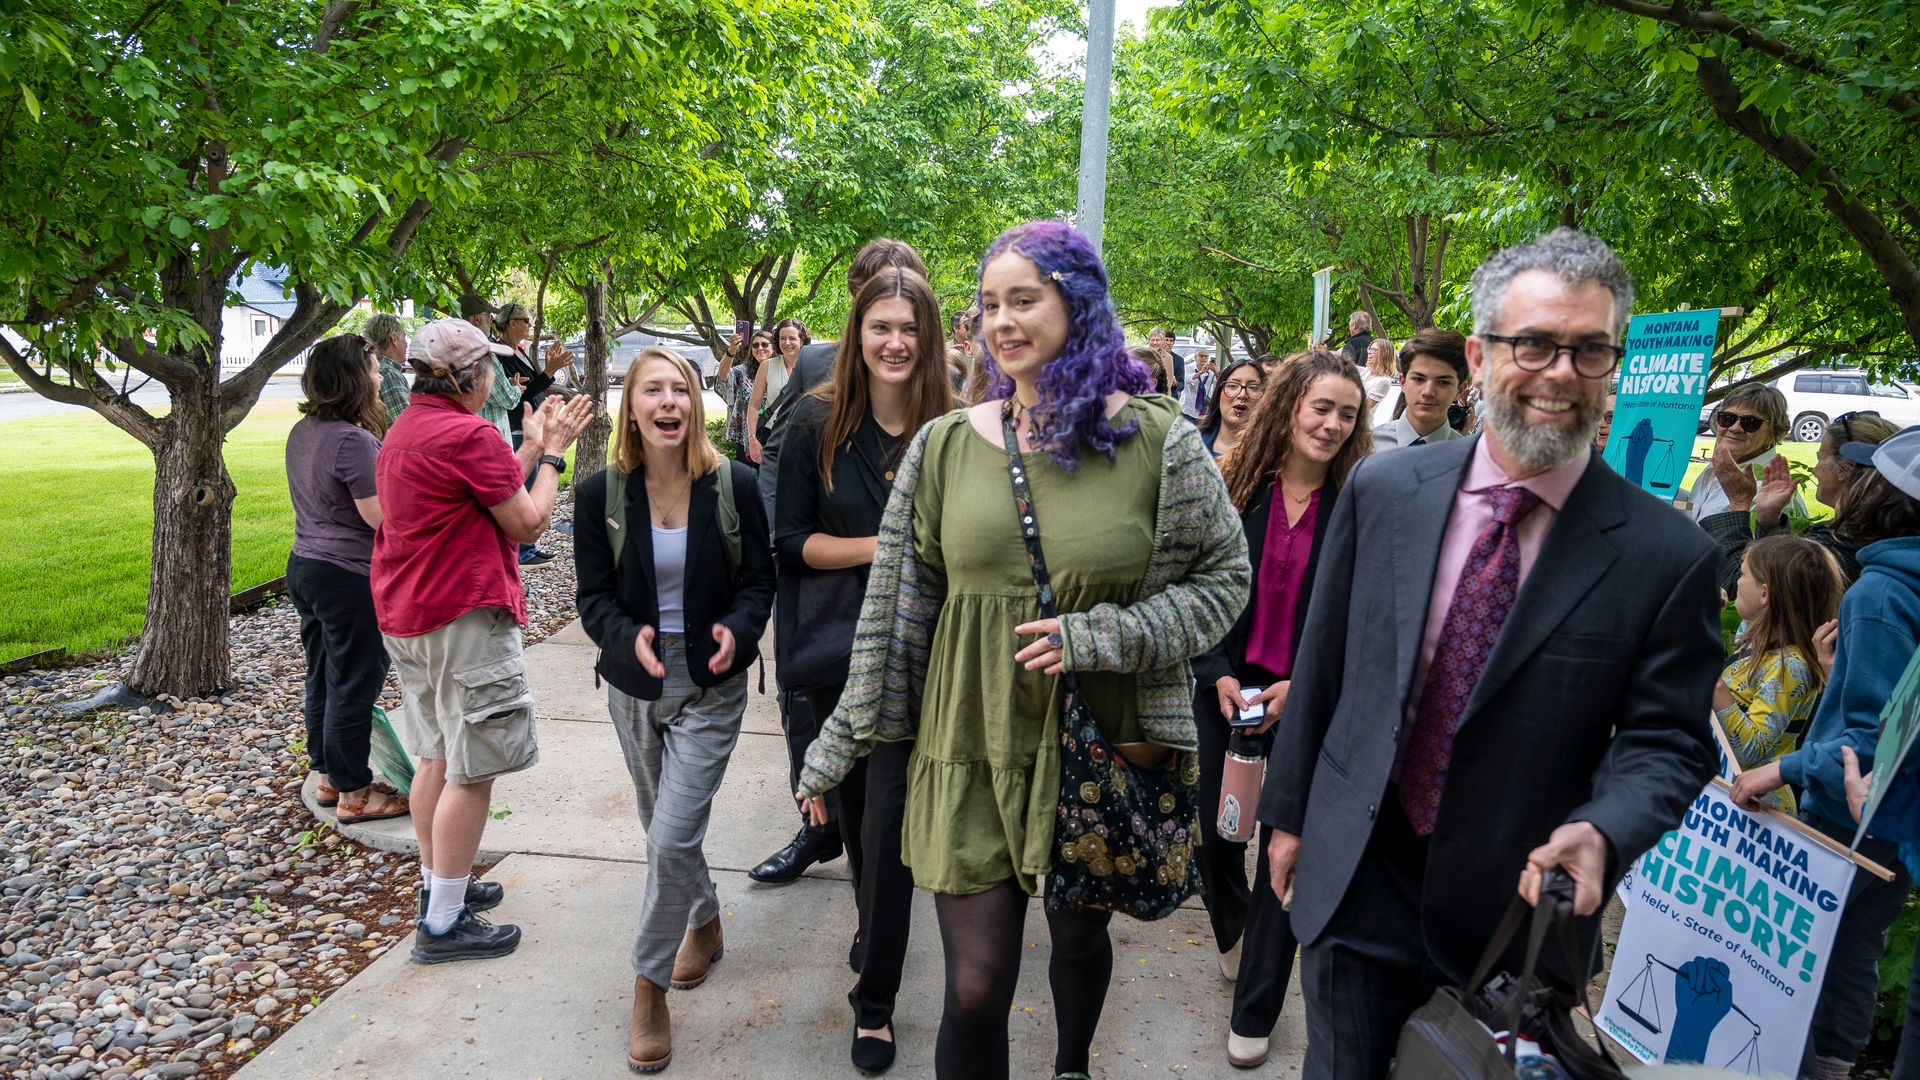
[[677, 610]]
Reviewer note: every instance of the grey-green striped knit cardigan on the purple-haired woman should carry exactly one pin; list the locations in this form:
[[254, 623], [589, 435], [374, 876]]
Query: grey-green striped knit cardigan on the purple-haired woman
[[1195, 587]]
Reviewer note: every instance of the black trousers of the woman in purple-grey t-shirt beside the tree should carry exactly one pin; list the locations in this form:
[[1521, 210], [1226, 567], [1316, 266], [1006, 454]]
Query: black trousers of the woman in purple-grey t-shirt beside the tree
[[347, 666]]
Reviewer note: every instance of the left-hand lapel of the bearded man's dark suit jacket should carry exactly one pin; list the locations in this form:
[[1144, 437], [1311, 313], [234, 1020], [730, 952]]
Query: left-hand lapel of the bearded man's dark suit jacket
[[1418, 526]]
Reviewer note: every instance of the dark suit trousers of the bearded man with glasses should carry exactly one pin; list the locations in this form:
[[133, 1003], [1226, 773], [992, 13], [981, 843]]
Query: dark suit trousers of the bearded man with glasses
[[1370, 970]]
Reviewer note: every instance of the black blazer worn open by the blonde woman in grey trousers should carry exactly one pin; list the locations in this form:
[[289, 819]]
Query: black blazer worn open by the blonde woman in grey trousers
[[613, 610]]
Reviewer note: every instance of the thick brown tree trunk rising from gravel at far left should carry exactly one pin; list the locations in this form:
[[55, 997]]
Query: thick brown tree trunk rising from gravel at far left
[[193, 551]]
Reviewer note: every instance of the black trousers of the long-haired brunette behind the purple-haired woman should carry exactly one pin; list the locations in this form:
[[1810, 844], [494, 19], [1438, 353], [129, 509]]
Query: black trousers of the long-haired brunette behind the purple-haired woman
[[873, 814]]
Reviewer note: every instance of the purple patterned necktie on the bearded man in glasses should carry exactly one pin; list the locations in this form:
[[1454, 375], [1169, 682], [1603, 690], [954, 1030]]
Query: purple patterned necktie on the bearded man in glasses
[[1481, 602]]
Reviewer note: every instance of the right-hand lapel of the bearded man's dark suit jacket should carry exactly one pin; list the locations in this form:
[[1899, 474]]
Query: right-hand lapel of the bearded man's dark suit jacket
[[1572, 560]]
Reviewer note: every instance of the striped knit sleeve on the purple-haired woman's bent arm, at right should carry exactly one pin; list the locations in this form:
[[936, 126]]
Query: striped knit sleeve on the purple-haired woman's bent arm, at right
[[1199, 531]]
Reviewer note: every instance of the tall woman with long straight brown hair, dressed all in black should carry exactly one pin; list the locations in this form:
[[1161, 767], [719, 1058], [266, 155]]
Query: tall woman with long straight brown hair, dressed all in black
[[836, 474]]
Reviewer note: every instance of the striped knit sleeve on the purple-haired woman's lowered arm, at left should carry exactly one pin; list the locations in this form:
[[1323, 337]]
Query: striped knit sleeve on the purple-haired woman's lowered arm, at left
[[890, 645]]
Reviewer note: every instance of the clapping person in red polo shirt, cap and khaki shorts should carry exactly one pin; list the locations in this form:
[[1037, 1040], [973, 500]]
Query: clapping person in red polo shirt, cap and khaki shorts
[[446, 589]]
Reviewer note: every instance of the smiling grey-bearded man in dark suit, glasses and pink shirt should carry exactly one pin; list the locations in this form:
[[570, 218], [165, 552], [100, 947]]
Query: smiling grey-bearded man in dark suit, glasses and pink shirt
[[1522, 685]]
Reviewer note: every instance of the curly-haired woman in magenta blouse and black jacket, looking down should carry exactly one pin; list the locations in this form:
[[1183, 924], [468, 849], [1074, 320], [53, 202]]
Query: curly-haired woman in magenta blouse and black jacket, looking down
[[1284, 476]]
